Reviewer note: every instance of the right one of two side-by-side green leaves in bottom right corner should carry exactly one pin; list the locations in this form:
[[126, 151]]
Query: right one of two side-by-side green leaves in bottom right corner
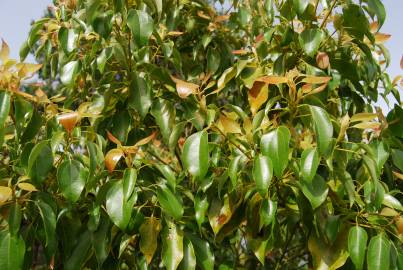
[[378, 255]]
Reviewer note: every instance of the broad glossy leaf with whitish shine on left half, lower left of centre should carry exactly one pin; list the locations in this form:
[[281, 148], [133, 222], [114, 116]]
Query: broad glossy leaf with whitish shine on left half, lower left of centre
[[118, 208]]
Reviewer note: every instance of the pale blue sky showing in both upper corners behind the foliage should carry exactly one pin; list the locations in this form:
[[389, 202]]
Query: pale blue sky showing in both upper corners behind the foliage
[[16, 15]]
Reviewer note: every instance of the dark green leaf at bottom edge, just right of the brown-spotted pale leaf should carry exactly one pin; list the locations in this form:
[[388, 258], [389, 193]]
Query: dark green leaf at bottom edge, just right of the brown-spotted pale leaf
[[204, 256]]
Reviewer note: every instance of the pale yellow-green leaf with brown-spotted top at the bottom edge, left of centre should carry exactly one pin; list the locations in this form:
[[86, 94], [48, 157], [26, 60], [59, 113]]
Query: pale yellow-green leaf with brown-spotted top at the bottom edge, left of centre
[[172, 247]]
